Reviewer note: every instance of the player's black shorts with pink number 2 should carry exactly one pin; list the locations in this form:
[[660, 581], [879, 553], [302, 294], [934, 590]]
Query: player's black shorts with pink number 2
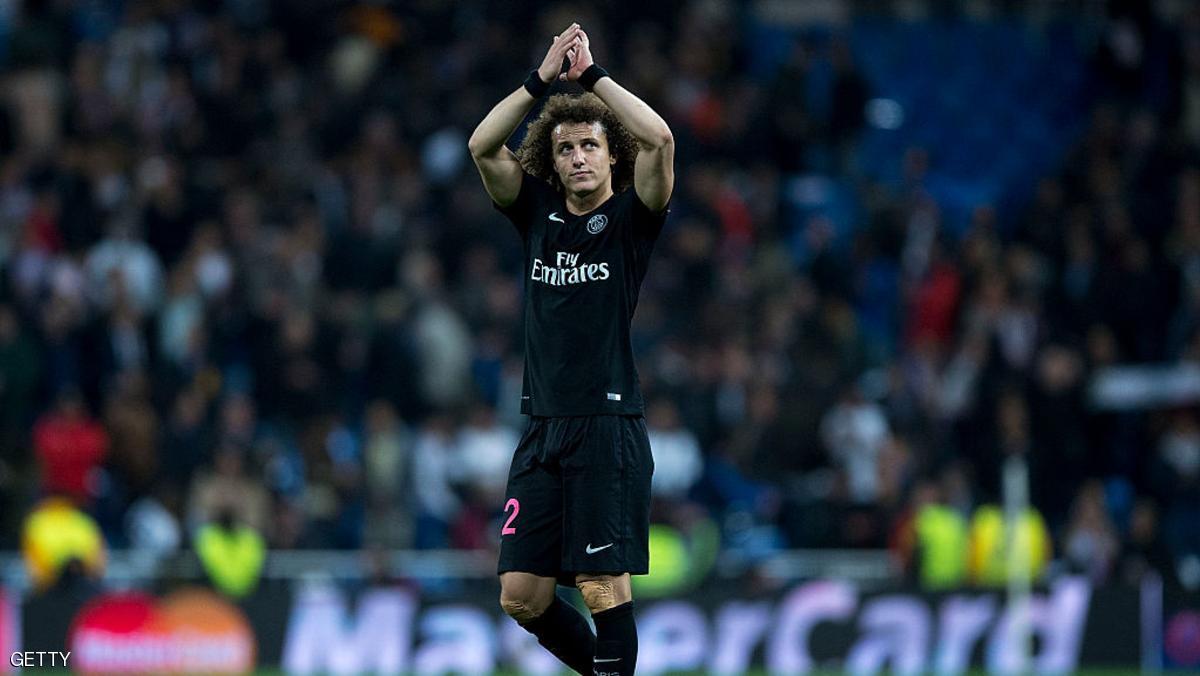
[[579, 499]]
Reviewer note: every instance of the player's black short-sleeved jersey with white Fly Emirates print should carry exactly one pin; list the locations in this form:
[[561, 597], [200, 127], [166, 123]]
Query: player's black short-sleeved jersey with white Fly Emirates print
[[583, 277]]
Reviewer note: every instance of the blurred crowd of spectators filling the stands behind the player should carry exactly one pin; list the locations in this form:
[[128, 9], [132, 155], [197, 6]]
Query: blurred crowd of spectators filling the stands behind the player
[[250, 276]]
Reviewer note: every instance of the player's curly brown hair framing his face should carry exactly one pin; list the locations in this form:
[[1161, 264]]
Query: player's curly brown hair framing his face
[[537, 153]]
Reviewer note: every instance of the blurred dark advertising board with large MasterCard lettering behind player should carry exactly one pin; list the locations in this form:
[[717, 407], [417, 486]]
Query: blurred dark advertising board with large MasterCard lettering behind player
[[331, 629]]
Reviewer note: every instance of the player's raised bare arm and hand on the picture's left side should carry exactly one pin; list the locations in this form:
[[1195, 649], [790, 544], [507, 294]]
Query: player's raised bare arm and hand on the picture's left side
[[497, 165]]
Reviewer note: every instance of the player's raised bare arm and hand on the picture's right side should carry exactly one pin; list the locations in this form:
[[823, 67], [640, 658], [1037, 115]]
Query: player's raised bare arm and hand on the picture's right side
[[655, 166]]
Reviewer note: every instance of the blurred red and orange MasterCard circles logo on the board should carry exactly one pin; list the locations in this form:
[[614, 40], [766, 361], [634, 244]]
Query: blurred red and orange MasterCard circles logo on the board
[[188, 632]]
